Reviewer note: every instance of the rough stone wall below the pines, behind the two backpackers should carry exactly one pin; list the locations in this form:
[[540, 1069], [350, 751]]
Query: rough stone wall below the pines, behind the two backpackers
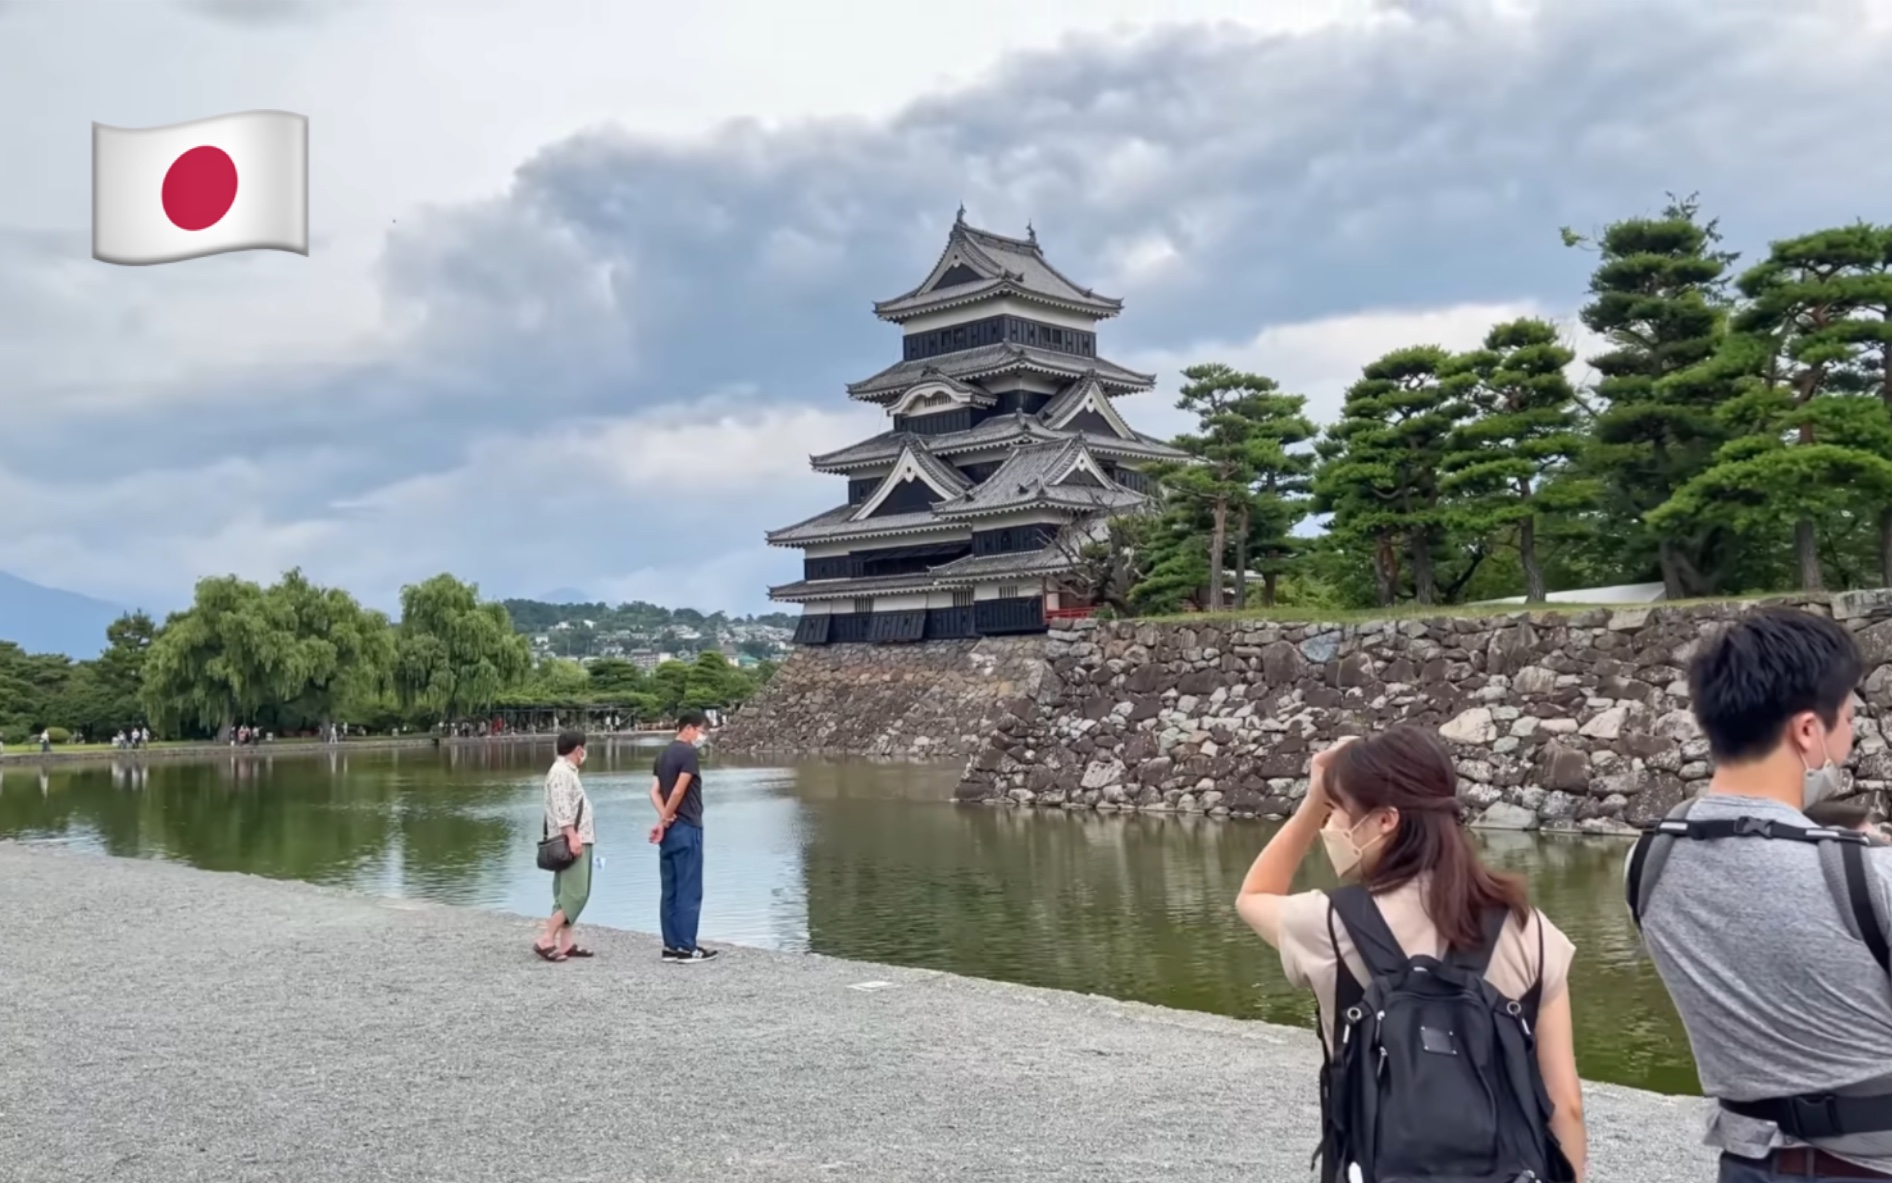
[[1573, 720]]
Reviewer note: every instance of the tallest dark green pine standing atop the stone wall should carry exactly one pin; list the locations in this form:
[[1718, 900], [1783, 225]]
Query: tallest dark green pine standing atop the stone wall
[[1660, 300]]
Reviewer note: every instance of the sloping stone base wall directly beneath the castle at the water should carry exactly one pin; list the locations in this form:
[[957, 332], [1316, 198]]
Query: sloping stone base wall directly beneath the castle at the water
[[926, 701]]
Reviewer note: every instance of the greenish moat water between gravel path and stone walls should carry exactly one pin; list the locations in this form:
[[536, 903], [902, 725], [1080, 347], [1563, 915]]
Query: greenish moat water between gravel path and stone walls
[[862, 862]]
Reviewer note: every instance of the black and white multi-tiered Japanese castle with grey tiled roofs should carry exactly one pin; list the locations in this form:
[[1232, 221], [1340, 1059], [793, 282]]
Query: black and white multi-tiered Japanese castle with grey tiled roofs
[[1004, 455]]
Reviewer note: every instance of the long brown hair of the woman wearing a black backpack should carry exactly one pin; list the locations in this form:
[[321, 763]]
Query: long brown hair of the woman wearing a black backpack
[[1409, 769]]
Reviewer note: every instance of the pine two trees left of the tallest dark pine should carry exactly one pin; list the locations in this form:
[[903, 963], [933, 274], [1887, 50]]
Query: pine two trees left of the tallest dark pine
[[1380, 467]]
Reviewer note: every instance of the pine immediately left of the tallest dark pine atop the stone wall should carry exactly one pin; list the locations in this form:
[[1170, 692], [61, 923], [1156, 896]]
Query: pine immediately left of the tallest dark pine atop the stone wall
[[1505, 470]]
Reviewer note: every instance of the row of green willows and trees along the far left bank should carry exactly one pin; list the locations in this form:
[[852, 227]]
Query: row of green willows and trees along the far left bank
[[296, 658]]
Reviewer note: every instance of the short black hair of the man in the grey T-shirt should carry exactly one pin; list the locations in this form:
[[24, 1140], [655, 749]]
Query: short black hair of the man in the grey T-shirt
[[1762, 671]]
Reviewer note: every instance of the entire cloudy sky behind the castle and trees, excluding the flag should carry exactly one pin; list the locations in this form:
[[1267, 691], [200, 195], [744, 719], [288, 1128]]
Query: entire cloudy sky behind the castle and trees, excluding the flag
[[587, 281]]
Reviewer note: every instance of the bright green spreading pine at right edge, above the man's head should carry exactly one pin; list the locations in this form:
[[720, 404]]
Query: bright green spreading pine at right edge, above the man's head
[[1815, 429]]
